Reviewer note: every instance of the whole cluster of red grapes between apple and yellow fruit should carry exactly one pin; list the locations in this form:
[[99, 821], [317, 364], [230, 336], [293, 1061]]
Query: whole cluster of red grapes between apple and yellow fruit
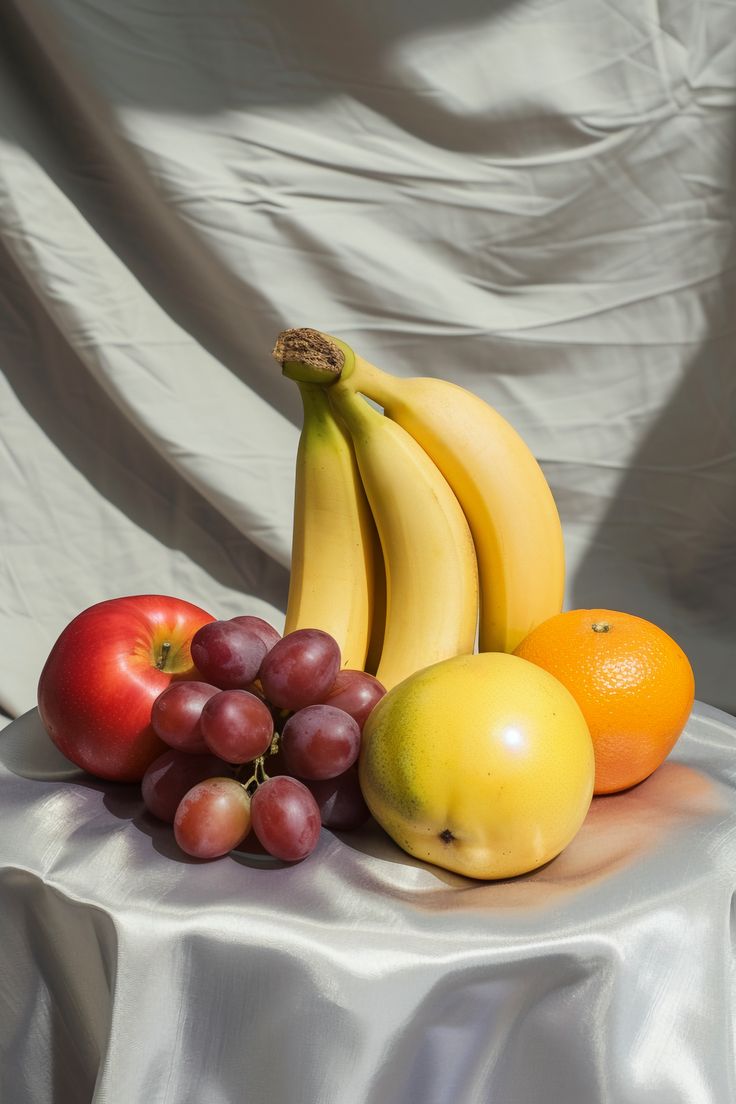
[[265, 742]]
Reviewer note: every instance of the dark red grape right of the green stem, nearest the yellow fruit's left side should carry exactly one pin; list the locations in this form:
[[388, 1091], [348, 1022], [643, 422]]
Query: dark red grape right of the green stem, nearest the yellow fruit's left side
[[321, 742]]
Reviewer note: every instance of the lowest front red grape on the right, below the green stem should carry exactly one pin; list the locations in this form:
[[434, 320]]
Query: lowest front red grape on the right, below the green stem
[[286, 819]]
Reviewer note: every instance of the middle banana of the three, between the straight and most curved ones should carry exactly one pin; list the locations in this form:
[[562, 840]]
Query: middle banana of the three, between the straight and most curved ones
[[432, 578]]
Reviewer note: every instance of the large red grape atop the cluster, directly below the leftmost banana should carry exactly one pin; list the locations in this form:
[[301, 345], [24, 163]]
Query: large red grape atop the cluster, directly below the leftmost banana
[[301, 668]]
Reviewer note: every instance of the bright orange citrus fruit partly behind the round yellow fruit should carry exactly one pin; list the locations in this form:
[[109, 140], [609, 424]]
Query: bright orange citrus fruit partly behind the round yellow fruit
[[632, 681]]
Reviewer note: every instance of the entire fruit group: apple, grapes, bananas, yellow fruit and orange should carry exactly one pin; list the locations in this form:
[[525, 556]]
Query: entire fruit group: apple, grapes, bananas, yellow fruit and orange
[[426, 675]]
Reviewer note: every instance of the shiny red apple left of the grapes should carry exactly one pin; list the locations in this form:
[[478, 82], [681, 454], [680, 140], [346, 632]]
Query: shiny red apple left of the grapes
[[105, 672]]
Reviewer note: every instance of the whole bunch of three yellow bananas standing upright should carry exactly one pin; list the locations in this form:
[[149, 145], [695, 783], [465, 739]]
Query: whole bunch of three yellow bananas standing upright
[[420, 530]]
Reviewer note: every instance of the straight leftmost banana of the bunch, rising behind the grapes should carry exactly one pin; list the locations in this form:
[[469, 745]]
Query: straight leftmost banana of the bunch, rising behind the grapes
[[335, 544]]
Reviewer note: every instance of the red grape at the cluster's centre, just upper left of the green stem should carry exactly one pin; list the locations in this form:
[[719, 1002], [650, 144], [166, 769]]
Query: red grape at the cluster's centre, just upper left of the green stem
[[238, 726]]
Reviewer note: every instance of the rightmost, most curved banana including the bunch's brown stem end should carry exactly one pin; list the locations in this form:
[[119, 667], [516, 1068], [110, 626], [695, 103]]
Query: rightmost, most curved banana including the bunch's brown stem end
[[499, 484]]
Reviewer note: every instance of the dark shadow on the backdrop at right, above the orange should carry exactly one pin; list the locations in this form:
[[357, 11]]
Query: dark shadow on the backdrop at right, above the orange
[[669, 533]]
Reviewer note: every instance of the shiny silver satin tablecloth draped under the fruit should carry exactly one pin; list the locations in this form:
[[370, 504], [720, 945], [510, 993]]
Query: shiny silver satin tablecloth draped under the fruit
[[130, 973]]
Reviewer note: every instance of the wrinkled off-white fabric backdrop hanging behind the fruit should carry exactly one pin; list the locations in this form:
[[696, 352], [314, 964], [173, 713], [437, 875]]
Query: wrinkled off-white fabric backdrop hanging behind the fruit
[[532, 198]]
